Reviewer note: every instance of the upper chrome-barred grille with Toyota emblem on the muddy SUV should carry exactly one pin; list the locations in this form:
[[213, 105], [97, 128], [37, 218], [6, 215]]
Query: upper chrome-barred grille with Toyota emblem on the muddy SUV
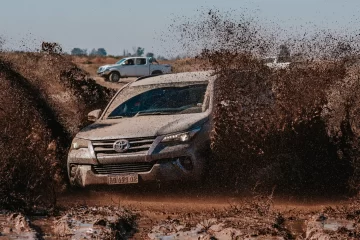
[[137, 145]]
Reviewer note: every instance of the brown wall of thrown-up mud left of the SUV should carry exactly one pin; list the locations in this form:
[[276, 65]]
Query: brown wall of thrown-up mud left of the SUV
[[44, 102]]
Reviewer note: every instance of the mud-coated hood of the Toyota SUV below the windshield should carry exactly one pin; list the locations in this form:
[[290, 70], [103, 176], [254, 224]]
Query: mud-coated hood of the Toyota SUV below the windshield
[[142, 126]]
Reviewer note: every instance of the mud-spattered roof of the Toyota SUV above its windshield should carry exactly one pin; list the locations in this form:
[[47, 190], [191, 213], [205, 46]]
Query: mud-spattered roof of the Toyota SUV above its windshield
[[175, 78]]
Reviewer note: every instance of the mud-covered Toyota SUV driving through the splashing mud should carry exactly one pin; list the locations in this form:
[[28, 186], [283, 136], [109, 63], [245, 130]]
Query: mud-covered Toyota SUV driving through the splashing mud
[[154, 129]]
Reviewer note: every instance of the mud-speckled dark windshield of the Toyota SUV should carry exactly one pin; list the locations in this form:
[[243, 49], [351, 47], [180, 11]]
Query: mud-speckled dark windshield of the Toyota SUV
[[158, 100]]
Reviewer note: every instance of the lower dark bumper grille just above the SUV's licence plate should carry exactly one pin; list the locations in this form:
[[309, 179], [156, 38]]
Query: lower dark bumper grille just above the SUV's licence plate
[[122, 168]]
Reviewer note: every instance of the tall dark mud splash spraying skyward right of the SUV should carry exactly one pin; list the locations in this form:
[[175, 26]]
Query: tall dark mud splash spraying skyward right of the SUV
[[293, 128]]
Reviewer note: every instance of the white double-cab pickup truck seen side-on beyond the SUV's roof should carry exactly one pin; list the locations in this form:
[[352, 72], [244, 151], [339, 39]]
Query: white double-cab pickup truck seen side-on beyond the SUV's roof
[[132, 67]]
